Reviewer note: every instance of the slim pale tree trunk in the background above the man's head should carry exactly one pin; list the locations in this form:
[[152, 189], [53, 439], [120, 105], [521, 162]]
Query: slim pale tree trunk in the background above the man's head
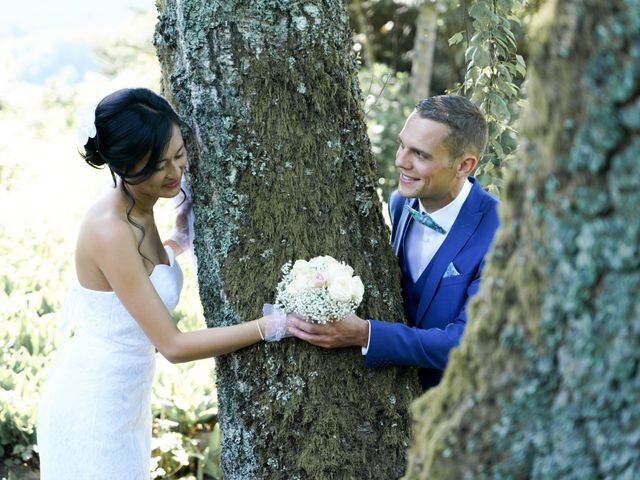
[[424, 45]]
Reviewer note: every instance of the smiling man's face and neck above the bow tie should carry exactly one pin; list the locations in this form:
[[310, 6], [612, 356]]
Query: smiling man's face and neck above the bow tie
[[425, 167]]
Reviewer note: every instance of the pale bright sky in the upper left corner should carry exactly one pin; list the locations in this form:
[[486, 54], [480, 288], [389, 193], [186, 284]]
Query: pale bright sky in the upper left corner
[[44, 38]]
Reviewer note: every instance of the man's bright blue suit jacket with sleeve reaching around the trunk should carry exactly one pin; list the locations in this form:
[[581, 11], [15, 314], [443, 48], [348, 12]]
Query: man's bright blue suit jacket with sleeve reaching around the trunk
[[439, 316]]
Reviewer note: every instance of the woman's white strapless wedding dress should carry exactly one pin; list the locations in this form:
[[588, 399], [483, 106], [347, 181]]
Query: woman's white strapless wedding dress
[[94, 420]]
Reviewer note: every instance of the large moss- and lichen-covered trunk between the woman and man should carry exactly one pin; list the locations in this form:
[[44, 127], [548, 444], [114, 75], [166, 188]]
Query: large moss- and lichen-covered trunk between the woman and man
[[280, 169]]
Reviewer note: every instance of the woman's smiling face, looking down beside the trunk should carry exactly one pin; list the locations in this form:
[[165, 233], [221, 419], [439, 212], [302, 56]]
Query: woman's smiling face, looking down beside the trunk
[[165, 181]]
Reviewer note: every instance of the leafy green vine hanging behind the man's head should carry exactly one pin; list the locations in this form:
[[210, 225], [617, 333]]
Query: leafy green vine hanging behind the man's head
[[490, 81]]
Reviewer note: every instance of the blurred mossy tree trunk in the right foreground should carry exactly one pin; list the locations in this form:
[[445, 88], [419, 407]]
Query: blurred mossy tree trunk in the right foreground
[[545, 383]]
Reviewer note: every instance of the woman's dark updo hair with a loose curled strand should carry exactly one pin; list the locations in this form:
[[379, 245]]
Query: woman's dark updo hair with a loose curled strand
[[131, 124]]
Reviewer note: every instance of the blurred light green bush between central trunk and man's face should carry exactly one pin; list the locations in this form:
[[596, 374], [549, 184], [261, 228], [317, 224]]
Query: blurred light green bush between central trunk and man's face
[[387, 105]]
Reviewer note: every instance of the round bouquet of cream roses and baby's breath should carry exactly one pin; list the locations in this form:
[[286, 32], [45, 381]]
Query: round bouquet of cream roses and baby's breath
[[321, 290]]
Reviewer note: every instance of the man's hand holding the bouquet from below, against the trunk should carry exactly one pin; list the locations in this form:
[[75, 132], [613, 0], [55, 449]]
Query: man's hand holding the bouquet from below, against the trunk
[[352, 331]]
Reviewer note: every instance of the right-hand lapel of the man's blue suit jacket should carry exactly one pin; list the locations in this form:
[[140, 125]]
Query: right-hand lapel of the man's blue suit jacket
[[464, 226]]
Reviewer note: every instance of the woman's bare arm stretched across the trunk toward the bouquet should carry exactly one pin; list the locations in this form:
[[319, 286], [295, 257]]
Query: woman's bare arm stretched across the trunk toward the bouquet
[[123, 268]]
